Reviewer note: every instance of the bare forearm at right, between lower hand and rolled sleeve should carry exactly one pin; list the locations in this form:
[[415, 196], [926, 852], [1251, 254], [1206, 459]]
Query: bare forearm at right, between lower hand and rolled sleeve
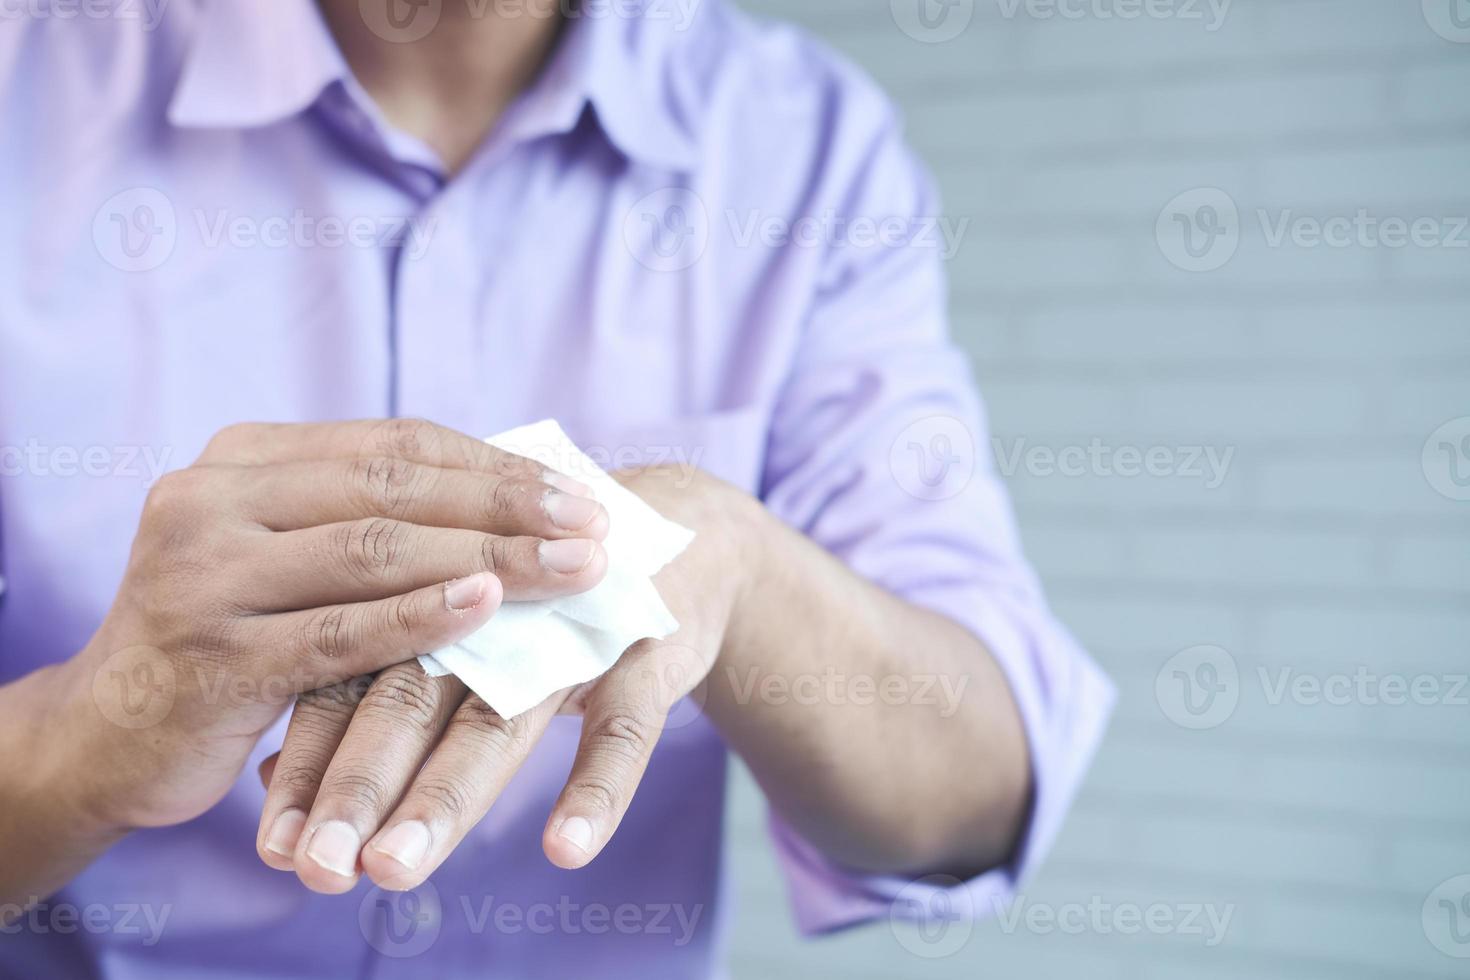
[[886, 734]]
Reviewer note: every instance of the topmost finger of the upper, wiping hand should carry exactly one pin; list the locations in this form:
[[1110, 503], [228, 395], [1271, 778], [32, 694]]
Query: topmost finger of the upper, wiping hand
[[412, 440]]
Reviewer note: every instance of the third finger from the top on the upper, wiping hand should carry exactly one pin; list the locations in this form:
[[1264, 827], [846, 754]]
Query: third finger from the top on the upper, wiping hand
[[377, 558]]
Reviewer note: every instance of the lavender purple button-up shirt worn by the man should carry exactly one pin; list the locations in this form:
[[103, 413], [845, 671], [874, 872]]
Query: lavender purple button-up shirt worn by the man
[[696, 239]]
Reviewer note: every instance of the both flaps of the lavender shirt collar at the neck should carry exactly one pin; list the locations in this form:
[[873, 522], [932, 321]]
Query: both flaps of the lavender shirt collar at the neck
[[249, 68]]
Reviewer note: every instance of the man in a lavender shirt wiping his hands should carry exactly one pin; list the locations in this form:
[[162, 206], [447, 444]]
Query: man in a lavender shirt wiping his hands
[[293, 215]]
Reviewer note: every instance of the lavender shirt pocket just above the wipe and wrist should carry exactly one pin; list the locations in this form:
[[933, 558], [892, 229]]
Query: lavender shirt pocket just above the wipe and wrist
[[728, 444]]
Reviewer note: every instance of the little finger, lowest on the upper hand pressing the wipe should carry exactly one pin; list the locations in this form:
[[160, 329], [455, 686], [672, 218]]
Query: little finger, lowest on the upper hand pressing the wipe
[[315, 649]]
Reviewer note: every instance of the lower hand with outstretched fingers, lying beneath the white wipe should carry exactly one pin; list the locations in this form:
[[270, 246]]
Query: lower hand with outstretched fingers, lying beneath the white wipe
[[390, 781]]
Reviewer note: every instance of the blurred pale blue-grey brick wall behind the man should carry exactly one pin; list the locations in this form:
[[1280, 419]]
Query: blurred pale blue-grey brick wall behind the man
[[1216, 287]]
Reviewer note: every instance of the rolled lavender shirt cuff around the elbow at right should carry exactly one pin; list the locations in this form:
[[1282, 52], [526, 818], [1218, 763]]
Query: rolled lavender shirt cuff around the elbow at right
[[1065, 703]]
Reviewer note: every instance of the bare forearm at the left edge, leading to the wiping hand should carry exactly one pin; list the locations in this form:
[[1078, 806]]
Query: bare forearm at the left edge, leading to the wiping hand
[[48, 834]]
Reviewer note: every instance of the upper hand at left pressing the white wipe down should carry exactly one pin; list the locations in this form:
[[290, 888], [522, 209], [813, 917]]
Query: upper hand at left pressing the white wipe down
[[289, 559]]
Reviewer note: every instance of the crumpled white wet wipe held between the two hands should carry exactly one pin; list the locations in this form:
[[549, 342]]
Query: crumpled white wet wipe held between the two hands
[[531, 650]]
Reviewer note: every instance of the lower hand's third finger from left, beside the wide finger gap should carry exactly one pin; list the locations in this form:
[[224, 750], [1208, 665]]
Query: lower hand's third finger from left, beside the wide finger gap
[[462, 779]]
